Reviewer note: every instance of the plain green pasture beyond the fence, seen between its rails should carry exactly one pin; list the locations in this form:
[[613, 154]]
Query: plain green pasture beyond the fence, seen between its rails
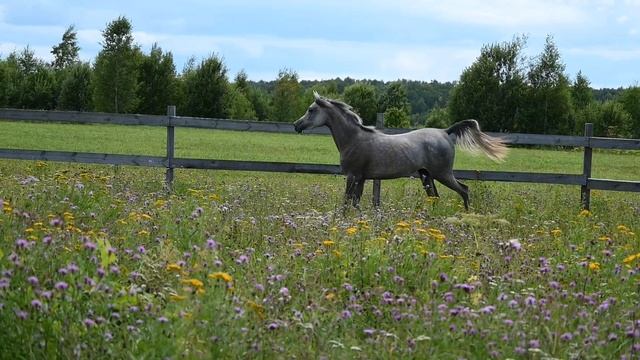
[[229, 145]]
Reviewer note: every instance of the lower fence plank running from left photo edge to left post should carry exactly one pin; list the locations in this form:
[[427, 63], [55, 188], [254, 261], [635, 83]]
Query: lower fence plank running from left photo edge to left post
[[79, 157]]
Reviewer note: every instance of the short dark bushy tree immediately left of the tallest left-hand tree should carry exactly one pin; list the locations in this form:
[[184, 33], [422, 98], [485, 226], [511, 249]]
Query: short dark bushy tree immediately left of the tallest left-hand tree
[[76, 90]]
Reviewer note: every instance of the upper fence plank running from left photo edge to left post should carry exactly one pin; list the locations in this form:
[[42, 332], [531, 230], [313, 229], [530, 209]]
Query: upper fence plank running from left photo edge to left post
[[77, 117]]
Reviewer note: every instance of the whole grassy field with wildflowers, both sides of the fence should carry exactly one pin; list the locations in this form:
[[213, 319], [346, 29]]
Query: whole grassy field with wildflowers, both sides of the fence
[[100, 262]]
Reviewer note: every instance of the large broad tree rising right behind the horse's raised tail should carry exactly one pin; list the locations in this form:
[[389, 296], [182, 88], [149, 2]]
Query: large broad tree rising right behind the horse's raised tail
[[491, 90]]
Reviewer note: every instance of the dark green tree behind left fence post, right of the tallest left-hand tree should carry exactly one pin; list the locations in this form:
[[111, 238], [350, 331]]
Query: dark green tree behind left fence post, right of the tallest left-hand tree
[[157, 82]]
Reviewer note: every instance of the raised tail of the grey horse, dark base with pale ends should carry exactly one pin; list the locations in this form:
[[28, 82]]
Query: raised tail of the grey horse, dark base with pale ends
[[469, 137]]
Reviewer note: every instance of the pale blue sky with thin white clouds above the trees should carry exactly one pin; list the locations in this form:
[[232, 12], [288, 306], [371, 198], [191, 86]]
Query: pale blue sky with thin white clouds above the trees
[[324, 39]]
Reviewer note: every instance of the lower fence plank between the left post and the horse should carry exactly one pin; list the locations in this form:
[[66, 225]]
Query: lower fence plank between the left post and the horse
[[256, 166]]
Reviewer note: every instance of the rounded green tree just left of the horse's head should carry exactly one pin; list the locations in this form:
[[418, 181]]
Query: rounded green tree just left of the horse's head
[[287, 95]]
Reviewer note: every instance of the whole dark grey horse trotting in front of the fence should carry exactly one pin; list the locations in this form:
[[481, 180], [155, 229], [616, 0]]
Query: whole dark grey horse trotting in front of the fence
[[366, 153]]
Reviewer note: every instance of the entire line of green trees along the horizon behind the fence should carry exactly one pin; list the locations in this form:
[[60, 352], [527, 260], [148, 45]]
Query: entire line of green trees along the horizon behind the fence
[[503, 89]]
